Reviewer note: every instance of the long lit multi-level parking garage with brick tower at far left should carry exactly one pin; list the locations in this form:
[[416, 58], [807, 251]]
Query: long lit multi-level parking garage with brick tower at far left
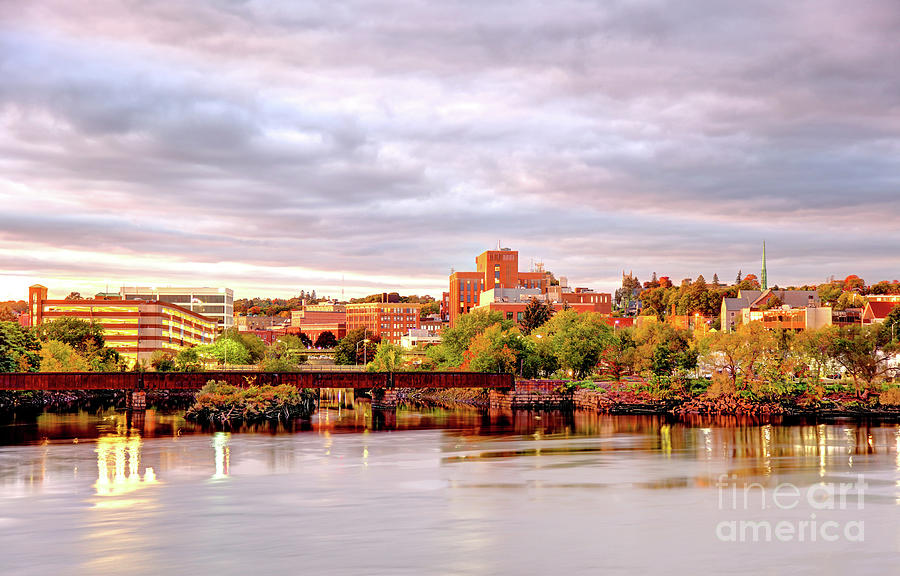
[[134, 328]]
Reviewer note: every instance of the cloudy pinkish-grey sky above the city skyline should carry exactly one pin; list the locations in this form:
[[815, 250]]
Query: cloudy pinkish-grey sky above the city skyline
[[374, 146]]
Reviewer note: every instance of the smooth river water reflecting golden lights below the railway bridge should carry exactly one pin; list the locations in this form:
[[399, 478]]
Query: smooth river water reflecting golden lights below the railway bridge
[[434, 491]]
